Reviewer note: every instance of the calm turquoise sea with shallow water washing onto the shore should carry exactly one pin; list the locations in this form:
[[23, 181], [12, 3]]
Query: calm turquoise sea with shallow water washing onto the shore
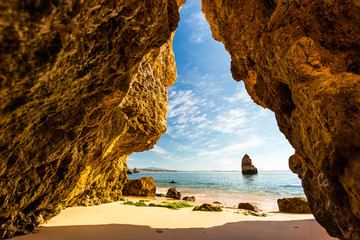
[[230, 188]]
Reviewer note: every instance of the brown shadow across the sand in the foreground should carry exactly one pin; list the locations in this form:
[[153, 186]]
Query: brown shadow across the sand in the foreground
[[244, 230]]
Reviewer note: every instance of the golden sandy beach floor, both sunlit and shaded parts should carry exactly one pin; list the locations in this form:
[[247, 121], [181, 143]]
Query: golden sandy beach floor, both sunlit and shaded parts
[[117, 221]]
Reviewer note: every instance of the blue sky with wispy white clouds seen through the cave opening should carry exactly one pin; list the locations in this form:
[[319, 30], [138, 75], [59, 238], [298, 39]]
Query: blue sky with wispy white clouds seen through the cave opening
[[212, 121]]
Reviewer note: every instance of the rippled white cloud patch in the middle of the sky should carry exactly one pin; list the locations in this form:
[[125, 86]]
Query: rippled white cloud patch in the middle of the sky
[[191, 116]]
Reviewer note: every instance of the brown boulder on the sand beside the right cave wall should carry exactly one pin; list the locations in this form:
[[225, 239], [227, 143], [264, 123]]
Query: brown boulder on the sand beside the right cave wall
[[294, 205]]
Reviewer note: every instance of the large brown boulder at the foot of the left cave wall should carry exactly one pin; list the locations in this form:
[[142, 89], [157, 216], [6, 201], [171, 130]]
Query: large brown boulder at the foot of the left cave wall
[[144, 186]]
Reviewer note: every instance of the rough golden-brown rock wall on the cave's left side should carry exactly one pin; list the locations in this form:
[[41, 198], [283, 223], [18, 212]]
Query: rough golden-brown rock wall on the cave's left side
[[83, 85]]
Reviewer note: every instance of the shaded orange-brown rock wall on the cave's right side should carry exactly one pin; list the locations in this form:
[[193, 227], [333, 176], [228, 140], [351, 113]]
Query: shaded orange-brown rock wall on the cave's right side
[[301, 60]]
